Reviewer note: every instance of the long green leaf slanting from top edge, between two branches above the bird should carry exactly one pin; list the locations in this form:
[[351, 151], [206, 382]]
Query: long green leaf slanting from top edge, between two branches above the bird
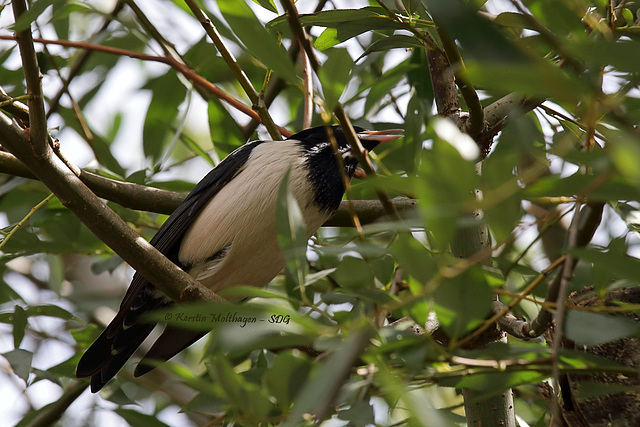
[[262, 45]]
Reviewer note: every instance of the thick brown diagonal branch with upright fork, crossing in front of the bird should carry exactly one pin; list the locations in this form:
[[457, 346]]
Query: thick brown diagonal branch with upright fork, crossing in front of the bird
[[32, 148]]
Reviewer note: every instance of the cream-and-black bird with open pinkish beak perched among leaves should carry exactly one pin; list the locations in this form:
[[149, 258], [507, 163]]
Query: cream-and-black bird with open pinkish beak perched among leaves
[[224, 234]]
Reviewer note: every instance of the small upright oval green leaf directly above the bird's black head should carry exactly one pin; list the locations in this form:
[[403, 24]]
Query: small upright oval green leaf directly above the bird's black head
[[334, 76]]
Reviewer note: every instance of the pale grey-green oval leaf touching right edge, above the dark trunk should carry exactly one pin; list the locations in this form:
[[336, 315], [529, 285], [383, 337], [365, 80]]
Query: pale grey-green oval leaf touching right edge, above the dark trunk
[[590, 329]]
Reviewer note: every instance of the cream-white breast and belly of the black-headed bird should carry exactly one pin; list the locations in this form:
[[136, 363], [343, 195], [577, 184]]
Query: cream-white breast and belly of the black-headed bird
[[242, 214]]
